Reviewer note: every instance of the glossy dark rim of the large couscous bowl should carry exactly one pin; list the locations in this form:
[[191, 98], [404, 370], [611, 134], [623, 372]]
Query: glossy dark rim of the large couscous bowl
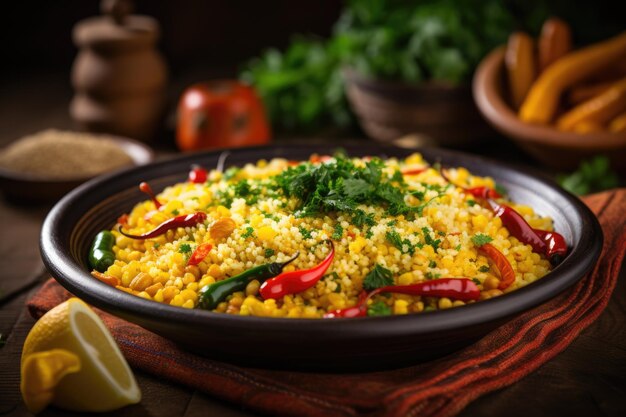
[[70, 274]]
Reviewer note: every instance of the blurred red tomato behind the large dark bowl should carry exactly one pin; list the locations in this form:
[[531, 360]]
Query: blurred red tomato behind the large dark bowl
[[220, 114]]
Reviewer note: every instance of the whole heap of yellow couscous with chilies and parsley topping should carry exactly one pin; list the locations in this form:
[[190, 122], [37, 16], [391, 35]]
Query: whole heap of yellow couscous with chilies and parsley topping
[[328, 237]]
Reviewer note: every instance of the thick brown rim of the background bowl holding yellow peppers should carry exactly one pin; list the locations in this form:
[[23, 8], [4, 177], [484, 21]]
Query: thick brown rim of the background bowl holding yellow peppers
[[489, 100]]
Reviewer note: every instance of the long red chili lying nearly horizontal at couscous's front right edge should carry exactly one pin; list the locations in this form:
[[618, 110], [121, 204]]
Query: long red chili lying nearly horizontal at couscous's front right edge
[[456, 288]]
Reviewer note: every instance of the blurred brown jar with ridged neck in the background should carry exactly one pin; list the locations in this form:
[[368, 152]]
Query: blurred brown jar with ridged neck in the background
[[119, 77]]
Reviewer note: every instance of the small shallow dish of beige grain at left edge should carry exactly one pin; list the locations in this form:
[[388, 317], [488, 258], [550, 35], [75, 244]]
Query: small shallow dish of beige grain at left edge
[[44, 166]]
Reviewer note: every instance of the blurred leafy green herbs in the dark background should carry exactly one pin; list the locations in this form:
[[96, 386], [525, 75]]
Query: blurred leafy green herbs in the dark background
[[411, 41]]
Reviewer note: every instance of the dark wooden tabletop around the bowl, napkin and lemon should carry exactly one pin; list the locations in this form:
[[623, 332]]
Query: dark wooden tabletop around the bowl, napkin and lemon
[[588, 378]]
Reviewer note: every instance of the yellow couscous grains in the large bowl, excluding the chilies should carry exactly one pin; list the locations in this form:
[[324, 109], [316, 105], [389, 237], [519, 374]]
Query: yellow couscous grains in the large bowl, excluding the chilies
[[251, 221]]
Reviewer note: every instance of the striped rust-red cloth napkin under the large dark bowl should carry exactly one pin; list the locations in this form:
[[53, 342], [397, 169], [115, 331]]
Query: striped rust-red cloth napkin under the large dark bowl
[[438, 388]]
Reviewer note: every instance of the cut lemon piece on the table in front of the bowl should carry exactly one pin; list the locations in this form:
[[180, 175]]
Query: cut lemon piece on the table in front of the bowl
[[69, 359]]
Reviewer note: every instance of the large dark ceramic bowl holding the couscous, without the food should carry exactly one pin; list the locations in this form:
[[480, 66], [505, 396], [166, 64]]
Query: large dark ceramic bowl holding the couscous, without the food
[[331, 344]]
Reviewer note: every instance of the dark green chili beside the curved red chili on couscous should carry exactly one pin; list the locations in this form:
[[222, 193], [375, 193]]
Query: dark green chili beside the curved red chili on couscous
[[212, 295]]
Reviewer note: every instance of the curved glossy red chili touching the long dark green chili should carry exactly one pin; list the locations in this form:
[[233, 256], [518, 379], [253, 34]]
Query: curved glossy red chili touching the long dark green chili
[[296, 281]]
